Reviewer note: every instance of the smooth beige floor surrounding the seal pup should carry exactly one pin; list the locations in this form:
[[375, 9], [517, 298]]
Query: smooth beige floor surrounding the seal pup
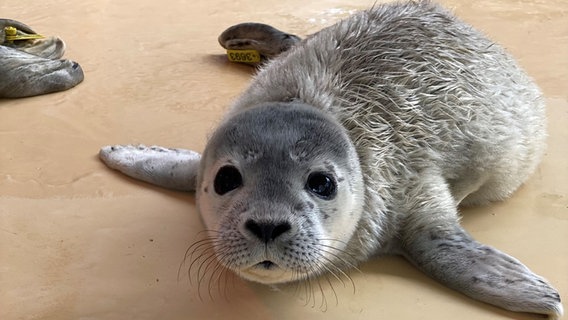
[[78, 241]]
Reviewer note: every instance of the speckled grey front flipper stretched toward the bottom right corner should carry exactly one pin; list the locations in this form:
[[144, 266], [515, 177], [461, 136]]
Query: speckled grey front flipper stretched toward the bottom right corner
[[451, 256]]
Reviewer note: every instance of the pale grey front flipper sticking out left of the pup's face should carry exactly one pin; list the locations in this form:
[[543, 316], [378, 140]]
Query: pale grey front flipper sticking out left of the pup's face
[[169, 168]]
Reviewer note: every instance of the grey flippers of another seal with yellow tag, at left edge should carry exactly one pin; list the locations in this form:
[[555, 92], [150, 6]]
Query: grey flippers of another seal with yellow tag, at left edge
[[32, 66]]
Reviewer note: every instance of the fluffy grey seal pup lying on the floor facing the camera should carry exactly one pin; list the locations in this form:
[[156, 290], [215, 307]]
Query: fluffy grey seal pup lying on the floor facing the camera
[[362, 140]]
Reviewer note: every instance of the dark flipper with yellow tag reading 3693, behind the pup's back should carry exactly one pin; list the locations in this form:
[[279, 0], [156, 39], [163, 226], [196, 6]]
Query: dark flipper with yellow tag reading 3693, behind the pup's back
[[265, 39]]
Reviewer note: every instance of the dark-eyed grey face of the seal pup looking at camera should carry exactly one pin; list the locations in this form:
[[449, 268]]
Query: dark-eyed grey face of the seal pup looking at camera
[[280, 190]]
